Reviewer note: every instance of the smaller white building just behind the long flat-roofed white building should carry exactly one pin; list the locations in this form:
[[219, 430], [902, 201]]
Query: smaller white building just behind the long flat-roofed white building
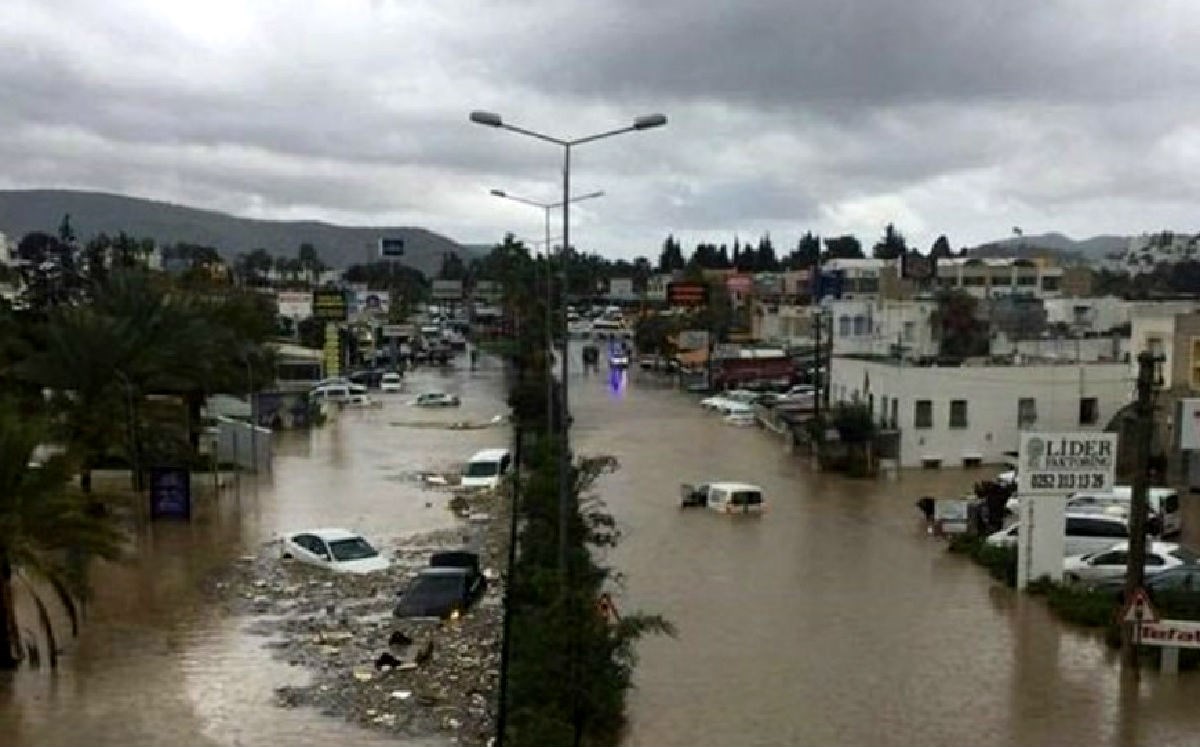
[[884, 328]]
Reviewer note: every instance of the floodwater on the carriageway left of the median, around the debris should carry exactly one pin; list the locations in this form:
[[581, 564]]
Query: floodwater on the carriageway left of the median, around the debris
[[153, 666]]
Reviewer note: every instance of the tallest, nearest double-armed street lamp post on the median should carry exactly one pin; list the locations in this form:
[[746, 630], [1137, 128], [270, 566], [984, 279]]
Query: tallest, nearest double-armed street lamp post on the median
[[493, 119]]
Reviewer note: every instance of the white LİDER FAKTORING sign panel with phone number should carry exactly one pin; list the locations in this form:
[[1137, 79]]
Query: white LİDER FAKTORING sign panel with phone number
[[1066, 463]]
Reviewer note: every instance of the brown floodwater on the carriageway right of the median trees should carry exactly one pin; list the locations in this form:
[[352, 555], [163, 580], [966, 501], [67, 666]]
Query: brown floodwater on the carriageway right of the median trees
[[833, 619]]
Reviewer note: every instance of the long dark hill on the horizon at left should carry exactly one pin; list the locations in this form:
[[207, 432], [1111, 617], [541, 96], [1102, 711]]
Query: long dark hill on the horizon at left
[[92, 213]]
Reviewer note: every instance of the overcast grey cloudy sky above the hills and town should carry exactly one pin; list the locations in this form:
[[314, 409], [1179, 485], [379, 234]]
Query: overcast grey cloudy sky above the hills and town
[[957, 117]]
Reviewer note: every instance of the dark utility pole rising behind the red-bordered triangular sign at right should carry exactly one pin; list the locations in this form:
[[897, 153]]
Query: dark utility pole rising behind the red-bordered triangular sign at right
[[1144, 433]]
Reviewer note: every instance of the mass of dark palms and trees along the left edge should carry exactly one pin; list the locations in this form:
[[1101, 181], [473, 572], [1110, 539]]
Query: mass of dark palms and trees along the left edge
[[111, 364]]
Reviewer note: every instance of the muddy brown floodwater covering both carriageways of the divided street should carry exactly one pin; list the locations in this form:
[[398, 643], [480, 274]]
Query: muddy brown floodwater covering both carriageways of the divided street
[[833, 619]]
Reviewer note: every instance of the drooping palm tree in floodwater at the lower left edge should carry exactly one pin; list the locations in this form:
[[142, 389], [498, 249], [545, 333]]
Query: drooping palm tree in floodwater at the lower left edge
[[44, 528]]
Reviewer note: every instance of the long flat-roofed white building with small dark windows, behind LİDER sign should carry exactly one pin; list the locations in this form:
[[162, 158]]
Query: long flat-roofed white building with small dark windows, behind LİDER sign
[[953, 416]]
